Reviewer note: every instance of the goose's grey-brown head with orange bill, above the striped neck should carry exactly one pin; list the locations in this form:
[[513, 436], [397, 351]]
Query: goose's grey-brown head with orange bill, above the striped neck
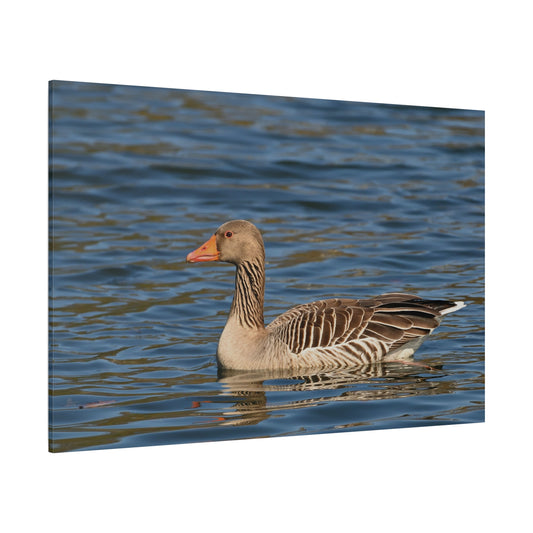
[[236, 241]]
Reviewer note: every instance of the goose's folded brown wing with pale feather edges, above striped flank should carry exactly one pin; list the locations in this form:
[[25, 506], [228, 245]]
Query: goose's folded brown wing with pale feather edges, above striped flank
[[392, 318]]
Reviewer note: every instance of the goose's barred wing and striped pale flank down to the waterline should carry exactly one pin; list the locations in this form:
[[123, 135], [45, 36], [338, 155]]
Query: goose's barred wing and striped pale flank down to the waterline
[[340, 332]]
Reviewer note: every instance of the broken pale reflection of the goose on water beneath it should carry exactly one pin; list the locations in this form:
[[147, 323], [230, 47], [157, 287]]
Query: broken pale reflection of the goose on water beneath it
[[260, 395]]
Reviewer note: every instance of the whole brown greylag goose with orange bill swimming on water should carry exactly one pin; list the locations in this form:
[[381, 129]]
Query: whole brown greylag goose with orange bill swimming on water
[[326, 334]]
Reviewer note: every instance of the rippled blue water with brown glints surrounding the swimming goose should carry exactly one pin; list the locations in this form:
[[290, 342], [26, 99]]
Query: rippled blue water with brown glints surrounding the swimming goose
[[353, 200]]
